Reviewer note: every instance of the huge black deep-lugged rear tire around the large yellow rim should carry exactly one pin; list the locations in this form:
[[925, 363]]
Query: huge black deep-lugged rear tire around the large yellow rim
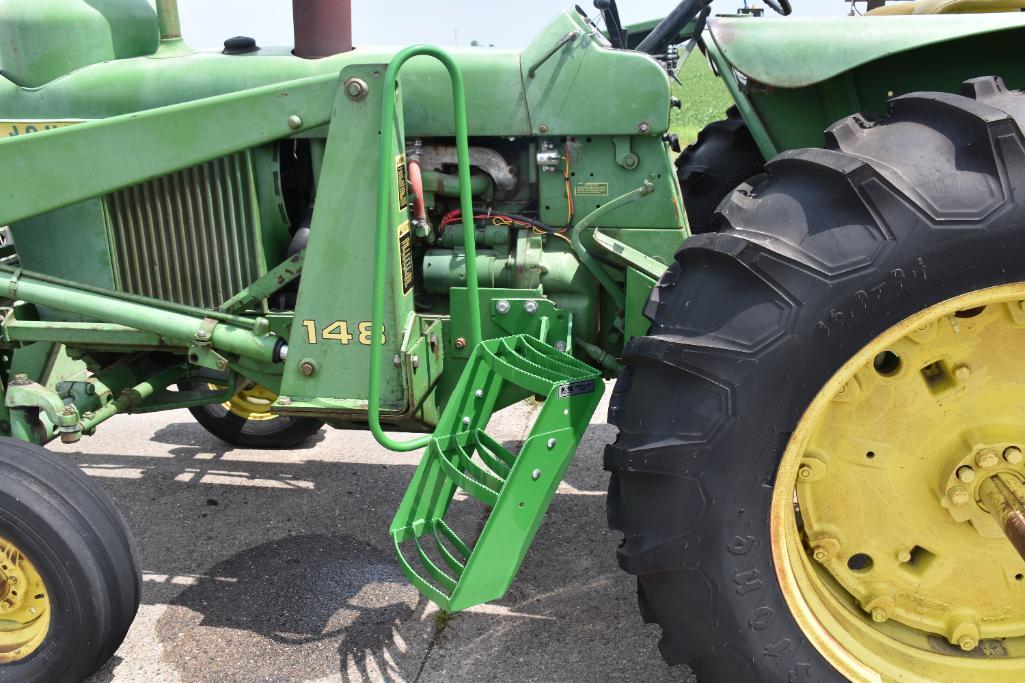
[[824, 255]]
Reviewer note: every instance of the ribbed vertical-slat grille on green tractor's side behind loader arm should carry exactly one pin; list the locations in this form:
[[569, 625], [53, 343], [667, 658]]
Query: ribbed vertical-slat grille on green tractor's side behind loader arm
[[191, 237]]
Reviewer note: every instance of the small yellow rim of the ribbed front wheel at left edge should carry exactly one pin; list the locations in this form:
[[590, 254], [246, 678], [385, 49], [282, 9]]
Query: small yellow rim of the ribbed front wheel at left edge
[[25, 606]]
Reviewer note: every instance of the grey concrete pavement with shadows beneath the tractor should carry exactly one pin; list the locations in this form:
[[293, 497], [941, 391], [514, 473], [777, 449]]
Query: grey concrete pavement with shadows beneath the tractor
[[277, 566]]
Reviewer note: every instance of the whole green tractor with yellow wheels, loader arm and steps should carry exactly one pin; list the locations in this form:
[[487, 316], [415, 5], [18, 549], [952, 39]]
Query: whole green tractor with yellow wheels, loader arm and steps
[[819, 471]]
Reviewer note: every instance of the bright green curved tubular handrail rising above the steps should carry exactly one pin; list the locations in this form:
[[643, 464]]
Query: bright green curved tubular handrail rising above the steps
[[385, 197]]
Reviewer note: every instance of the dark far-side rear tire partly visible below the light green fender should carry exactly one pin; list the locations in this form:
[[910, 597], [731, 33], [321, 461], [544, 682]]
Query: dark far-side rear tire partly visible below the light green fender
[[724, 156]]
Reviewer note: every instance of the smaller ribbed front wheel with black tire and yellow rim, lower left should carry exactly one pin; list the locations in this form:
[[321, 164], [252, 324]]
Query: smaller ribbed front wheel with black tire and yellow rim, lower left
[[70, 583]]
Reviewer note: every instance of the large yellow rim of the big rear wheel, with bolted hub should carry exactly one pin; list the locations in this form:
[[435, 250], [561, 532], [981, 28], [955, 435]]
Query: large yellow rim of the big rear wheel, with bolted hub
[[882, 541]]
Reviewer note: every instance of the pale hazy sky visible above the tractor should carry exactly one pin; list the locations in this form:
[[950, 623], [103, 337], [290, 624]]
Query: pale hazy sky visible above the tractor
[[504, 24]]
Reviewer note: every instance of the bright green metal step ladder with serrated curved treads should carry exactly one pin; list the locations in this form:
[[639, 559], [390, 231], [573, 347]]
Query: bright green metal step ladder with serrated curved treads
[[518, 489]]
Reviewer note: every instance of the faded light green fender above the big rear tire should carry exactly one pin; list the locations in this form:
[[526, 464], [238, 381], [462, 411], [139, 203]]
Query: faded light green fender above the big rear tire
[[798, 53]]
